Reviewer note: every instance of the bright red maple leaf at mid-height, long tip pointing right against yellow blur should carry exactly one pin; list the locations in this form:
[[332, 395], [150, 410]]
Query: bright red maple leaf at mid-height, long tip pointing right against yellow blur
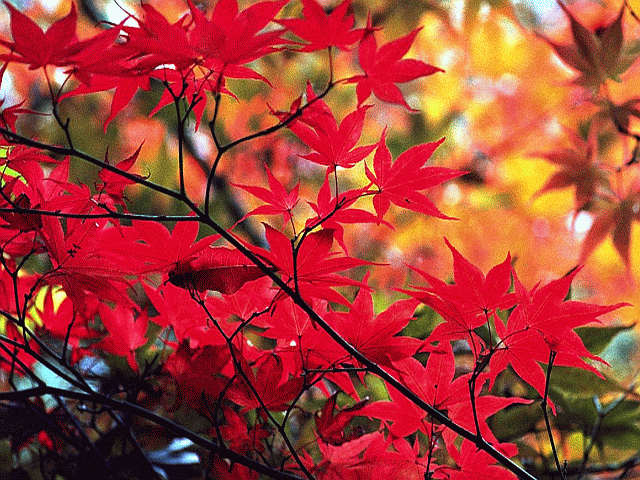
[[400, 182]]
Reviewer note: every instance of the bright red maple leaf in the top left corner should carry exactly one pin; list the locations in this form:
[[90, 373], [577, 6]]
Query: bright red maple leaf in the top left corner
[[36, 48]]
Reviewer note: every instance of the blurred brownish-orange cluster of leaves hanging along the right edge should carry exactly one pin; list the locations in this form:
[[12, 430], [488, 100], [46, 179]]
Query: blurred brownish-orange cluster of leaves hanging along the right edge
[[600, 55]]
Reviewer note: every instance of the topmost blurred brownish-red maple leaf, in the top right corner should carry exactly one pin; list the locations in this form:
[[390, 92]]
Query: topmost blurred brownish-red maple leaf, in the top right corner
[[596, 55]]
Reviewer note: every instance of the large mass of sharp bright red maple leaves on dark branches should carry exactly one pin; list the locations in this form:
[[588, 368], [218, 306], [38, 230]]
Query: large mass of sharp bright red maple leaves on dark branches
[[98, 261]]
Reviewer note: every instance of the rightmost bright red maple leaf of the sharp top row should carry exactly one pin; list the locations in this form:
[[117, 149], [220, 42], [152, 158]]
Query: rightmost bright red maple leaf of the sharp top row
[[384, 68]]
